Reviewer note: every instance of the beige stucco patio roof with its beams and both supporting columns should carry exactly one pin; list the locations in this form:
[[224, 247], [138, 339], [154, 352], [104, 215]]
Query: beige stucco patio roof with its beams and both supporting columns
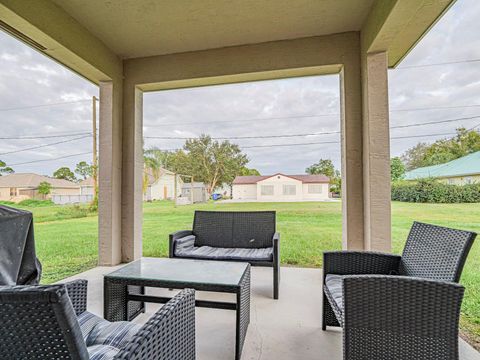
[[133, 46]]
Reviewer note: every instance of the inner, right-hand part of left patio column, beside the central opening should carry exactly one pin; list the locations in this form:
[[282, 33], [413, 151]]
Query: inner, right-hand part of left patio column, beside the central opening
[[132, 174]]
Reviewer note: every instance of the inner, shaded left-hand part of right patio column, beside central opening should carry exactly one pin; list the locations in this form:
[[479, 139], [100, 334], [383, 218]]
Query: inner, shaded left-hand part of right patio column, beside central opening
[[352, 171]]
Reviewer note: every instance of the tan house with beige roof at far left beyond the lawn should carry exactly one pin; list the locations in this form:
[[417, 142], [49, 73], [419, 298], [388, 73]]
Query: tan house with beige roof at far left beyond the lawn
[[25, 185]]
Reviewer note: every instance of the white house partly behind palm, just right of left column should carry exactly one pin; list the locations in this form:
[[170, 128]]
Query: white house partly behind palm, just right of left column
[[163, 188]]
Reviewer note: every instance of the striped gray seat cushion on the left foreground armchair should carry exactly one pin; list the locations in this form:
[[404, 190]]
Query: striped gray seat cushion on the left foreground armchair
[[103, 338]]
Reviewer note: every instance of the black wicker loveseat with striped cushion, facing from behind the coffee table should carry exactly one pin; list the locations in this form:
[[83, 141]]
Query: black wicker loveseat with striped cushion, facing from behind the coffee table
[[232, 236]]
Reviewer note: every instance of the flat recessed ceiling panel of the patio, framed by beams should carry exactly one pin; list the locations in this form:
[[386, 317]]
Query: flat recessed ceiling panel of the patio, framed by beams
[[138, 28]]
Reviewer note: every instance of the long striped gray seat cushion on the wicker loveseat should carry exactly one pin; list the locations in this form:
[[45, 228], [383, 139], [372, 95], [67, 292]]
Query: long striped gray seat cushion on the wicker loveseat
[[214, 253]]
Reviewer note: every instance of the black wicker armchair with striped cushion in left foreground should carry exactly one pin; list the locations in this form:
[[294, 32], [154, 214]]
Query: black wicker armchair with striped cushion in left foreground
[[51, 322]]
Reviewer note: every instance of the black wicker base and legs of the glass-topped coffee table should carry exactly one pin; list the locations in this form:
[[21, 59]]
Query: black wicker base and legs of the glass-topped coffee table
[[124, 298]]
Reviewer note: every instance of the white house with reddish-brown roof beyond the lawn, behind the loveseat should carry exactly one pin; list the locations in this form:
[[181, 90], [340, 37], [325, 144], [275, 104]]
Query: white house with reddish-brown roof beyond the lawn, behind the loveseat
[[281, 187]]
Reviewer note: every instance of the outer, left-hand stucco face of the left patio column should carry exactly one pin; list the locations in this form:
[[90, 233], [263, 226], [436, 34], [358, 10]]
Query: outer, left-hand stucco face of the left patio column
[[109, 174]]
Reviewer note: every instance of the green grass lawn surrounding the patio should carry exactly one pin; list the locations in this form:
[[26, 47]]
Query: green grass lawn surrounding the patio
[[68, 246]]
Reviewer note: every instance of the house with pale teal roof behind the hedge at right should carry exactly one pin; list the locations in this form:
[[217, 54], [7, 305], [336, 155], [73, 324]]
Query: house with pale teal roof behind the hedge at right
[[464, 170]]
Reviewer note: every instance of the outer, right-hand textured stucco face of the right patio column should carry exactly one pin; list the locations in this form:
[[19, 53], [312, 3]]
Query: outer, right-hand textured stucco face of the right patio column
[[376, 153]]
